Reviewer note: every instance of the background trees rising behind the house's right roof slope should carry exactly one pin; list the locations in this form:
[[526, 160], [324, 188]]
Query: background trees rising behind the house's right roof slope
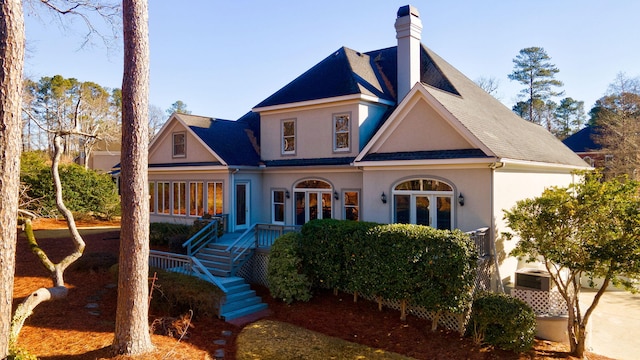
[[614, 118]]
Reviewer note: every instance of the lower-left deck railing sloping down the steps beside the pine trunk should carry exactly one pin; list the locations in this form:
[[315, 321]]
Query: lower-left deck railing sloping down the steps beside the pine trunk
[[183, 264]]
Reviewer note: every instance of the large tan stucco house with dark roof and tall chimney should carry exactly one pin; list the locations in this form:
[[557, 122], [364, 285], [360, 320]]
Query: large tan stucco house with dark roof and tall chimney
[[390, 135]]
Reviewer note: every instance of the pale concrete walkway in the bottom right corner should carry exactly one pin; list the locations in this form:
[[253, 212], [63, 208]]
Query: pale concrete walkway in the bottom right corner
[[615, 324]]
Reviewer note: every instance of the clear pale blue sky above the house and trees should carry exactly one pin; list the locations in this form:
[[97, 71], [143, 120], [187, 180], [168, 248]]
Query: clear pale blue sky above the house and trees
[[223, 57]]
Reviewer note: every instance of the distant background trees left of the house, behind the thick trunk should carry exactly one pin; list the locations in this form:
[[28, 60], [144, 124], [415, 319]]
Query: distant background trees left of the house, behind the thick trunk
[[54, 103]]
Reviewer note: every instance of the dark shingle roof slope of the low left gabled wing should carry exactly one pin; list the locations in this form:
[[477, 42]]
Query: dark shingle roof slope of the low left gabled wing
[[234, 141]]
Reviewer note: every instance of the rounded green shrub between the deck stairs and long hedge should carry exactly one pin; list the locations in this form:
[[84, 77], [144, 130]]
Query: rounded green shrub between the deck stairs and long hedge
[[286, 282]]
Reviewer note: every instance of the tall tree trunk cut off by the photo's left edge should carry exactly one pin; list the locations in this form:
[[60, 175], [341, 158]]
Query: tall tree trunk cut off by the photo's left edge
[[11, 66]]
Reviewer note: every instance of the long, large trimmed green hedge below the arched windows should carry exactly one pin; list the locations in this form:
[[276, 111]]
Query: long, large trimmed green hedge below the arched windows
[[435, 269]]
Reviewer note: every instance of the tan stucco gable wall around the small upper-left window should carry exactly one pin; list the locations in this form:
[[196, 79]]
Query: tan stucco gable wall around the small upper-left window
[[162, 148]]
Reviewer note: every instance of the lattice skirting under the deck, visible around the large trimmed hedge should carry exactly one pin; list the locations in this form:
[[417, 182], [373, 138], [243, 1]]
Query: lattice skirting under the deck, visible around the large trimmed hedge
[[255, 272]]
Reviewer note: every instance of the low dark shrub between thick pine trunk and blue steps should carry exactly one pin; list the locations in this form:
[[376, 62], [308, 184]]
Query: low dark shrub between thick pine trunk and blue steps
[[175, 294]]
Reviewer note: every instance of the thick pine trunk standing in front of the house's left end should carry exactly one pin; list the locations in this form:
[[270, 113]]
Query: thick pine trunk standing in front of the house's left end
[[132, 325]]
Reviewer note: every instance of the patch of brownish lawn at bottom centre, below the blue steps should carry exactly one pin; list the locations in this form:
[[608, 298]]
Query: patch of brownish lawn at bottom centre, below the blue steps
[[268, 339]]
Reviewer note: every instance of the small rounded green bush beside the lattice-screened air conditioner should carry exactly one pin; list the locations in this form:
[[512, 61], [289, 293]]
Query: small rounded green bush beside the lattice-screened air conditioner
[[502, 321]]
